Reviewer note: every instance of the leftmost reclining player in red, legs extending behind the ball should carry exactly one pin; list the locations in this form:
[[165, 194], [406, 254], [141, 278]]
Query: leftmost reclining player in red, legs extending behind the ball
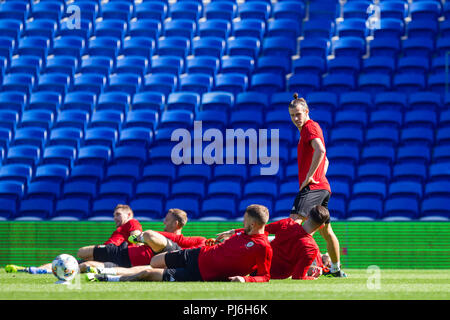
[[126, 226]]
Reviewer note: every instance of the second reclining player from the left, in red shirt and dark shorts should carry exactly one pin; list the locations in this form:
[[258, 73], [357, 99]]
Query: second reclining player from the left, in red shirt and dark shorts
[[112, 259]]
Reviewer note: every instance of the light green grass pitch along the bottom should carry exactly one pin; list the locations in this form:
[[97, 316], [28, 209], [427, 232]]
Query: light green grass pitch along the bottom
[[393, 284]]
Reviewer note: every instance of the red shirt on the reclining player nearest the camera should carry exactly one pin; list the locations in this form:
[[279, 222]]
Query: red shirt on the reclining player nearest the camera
[[237, 256]]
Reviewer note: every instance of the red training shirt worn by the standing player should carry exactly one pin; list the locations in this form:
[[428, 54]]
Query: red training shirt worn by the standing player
[[305, 151]]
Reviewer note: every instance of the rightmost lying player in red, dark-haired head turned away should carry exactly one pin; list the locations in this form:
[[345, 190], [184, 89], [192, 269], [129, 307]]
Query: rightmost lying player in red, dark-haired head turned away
[[294, 248]]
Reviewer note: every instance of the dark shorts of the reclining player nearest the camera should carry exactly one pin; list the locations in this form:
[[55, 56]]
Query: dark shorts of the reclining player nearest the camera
[[182, 265]]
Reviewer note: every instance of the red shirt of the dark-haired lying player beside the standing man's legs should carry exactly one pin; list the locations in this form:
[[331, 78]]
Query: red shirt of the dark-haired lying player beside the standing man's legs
[[294, 250]]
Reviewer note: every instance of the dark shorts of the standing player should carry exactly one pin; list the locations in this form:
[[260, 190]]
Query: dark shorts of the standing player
[[306, 199]]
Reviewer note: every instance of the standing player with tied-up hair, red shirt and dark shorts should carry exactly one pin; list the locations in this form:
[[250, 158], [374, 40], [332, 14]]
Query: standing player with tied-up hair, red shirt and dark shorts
[[312, 167]]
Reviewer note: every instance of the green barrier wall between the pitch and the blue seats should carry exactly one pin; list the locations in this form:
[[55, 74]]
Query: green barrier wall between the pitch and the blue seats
[[404, 245]]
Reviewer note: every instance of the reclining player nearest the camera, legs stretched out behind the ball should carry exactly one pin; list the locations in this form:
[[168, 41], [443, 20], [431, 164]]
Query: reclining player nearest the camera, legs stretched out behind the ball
[[231, 260]]
